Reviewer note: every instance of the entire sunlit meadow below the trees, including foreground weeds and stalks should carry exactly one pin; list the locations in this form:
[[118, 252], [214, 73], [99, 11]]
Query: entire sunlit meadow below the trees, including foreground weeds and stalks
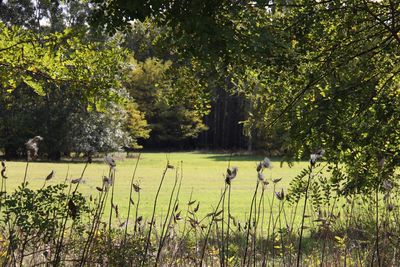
[[190, 215]]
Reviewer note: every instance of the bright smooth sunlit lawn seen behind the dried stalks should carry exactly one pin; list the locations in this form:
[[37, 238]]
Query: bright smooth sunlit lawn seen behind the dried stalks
[[202, 174]]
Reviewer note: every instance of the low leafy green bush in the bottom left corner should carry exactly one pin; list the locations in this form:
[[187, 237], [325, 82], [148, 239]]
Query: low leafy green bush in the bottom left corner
[[33, 218]]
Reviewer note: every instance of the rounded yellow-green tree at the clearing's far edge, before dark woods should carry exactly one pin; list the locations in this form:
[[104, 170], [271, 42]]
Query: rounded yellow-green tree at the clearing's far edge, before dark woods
[[172, 100]]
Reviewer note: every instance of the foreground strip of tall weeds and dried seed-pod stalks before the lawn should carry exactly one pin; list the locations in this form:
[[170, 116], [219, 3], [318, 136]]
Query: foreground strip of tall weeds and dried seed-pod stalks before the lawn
[[312, 224]]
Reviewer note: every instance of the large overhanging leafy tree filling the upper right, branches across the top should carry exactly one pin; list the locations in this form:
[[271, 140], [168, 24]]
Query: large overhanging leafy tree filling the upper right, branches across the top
[[326, 71]]
